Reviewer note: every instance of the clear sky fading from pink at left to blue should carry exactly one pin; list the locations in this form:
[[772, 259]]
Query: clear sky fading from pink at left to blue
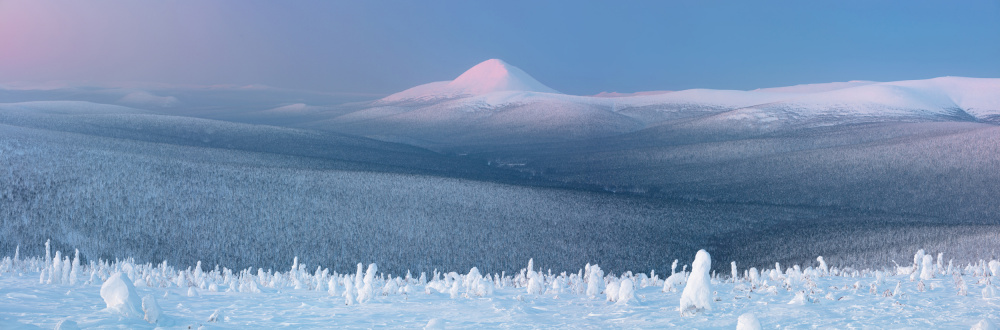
[[381, 47]]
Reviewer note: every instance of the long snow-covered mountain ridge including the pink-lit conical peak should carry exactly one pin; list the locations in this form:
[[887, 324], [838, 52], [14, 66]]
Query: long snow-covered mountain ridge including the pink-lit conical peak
[[496, 103]]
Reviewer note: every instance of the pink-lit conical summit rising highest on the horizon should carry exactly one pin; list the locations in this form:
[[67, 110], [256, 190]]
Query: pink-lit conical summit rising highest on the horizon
[[489, 76]]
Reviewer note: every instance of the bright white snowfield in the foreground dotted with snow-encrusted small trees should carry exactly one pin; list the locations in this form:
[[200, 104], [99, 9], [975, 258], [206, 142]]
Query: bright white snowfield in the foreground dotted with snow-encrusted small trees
[[931, 293]]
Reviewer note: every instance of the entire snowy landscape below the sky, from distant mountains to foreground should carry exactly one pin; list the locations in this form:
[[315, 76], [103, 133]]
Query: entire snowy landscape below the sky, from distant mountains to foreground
[[492, 200]]
